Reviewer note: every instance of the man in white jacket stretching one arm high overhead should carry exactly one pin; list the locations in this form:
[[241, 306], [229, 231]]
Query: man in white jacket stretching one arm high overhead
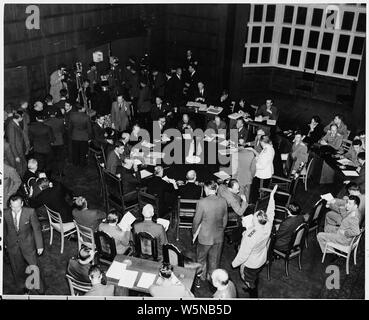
[[253, 250]]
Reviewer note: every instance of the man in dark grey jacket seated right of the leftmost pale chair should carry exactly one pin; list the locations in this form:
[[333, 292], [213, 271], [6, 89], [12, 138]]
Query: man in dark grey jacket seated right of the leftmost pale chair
[[89, 218]]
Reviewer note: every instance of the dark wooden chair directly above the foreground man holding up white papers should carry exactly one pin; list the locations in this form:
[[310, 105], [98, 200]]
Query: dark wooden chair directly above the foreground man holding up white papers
[[115, 195]]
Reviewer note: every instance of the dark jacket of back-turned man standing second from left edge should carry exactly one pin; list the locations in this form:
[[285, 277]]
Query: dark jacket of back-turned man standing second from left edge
[[41, 137]]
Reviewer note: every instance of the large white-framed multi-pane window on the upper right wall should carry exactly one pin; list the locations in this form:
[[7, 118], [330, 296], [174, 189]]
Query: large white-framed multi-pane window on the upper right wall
[[326, 39]]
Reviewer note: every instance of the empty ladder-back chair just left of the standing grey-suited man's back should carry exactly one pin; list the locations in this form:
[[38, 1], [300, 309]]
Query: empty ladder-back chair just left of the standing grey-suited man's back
[[186, 209]]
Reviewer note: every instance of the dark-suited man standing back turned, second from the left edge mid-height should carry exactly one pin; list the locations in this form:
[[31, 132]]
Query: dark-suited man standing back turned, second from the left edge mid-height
[[41, 138]]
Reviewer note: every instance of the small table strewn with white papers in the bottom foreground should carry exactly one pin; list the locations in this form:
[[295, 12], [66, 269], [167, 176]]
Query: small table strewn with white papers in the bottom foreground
[[147, 269]]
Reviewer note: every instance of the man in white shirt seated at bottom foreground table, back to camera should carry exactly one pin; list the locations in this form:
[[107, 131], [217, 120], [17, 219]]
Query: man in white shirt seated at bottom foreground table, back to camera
[[168, 286]]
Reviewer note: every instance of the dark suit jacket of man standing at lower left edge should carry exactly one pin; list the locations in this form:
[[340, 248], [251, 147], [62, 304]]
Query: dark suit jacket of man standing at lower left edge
[[27, 239]]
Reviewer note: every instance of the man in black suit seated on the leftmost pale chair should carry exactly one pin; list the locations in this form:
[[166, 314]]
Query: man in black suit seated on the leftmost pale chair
[[54, 196]]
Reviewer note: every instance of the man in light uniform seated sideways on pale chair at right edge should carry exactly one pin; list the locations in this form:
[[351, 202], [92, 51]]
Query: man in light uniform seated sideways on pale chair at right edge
[[348, 228]]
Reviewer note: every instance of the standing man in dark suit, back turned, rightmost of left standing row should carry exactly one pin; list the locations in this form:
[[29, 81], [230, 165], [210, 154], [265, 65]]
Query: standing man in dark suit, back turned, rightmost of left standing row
[[80, 133]]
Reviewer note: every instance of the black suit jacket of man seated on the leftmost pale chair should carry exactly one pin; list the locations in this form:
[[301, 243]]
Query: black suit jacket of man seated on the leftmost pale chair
[[55, 199]]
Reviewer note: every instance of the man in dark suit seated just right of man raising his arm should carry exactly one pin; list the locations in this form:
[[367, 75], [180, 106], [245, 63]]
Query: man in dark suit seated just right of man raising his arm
[[288, 226]]
